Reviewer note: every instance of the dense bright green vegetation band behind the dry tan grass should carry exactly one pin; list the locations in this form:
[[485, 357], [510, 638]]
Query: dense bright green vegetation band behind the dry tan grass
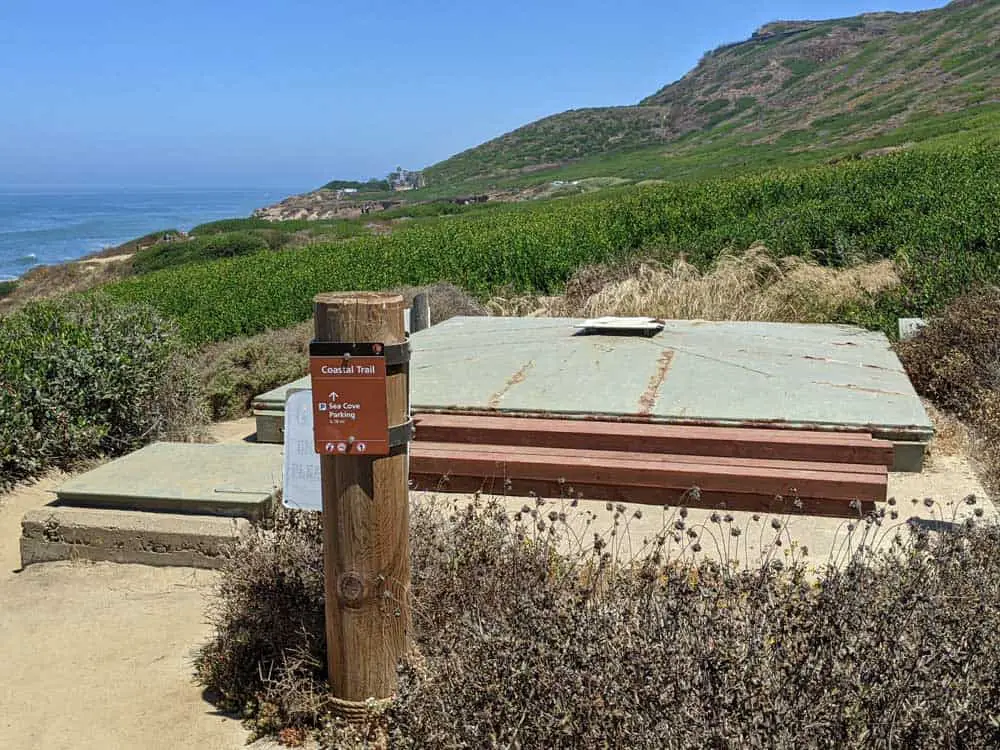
[[934, 211]]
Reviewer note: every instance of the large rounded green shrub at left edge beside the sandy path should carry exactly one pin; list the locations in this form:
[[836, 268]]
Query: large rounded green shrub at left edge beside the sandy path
[[88, 379]]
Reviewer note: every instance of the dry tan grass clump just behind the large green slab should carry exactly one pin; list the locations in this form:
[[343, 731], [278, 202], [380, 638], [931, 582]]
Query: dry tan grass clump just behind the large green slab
[[750, 286]]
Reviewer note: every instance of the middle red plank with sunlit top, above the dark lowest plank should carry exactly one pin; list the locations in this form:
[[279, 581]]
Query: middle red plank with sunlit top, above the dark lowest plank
[[504, 461]]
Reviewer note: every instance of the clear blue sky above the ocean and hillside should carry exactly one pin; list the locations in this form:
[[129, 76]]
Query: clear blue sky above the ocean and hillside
[[292, 93]]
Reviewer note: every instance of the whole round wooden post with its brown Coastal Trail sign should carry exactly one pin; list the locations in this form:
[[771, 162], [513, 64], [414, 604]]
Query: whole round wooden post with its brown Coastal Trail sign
[[363, 465]]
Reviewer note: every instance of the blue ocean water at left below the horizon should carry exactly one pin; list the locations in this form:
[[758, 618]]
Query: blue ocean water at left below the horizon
[[43, 227]]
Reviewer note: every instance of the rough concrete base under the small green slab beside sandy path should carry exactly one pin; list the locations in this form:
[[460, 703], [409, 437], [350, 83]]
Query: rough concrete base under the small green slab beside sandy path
[[161, 539]]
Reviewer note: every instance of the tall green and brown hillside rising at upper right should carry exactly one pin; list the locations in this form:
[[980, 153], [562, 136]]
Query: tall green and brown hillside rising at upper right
[[802, 89]]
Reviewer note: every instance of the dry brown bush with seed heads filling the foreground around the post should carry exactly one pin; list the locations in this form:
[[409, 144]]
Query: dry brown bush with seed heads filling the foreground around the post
[[521, 643]]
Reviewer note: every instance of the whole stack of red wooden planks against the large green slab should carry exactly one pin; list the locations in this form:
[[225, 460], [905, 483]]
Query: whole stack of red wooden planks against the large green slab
[[765, 470]]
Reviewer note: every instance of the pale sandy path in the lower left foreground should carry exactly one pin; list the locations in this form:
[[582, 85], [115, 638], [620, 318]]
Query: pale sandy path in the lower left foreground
[[98, 656]]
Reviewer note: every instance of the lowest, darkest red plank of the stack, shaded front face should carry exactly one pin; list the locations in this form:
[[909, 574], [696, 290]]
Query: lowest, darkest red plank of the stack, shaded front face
[[733, 501]]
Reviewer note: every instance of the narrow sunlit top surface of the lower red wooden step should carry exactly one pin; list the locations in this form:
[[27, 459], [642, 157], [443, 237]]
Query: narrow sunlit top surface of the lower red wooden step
[[460, 449]]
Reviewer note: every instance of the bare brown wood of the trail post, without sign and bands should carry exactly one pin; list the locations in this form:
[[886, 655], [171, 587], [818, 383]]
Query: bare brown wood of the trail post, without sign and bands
[[366, 549]]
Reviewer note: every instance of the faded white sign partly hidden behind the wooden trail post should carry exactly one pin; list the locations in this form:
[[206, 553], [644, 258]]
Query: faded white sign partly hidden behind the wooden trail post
[[302, 486]]
